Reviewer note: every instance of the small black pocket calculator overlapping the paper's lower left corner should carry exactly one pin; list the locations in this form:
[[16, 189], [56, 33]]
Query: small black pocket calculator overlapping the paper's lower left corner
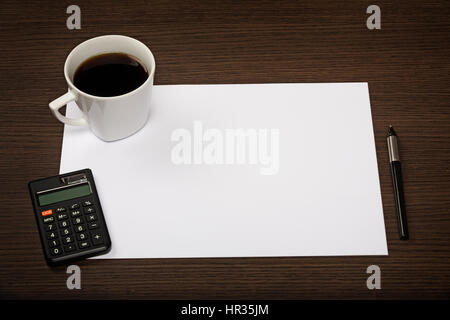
[[69, 217]]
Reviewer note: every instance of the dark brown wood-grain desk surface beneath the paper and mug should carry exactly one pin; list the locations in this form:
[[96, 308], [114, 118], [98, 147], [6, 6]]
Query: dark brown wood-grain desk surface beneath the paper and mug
[[406, 64]]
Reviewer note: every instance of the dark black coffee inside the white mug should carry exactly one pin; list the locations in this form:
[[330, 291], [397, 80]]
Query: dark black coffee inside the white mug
[[110, 74]]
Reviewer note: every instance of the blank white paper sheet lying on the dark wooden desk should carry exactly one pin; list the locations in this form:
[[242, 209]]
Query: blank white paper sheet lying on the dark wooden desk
[[323, 200]]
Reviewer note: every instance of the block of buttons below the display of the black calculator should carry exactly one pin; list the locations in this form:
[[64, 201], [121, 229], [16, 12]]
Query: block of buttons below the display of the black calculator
[[72, 228]]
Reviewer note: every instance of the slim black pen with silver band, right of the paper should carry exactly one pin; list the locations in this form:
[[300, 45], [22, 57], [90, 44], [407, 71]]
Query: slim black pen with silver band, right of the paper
[[396, 172]]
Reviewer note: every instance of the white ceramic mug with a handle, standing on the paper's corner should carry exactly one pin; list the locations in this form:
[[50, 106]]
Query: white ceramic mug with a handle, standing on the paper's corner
[[109, 118]]
